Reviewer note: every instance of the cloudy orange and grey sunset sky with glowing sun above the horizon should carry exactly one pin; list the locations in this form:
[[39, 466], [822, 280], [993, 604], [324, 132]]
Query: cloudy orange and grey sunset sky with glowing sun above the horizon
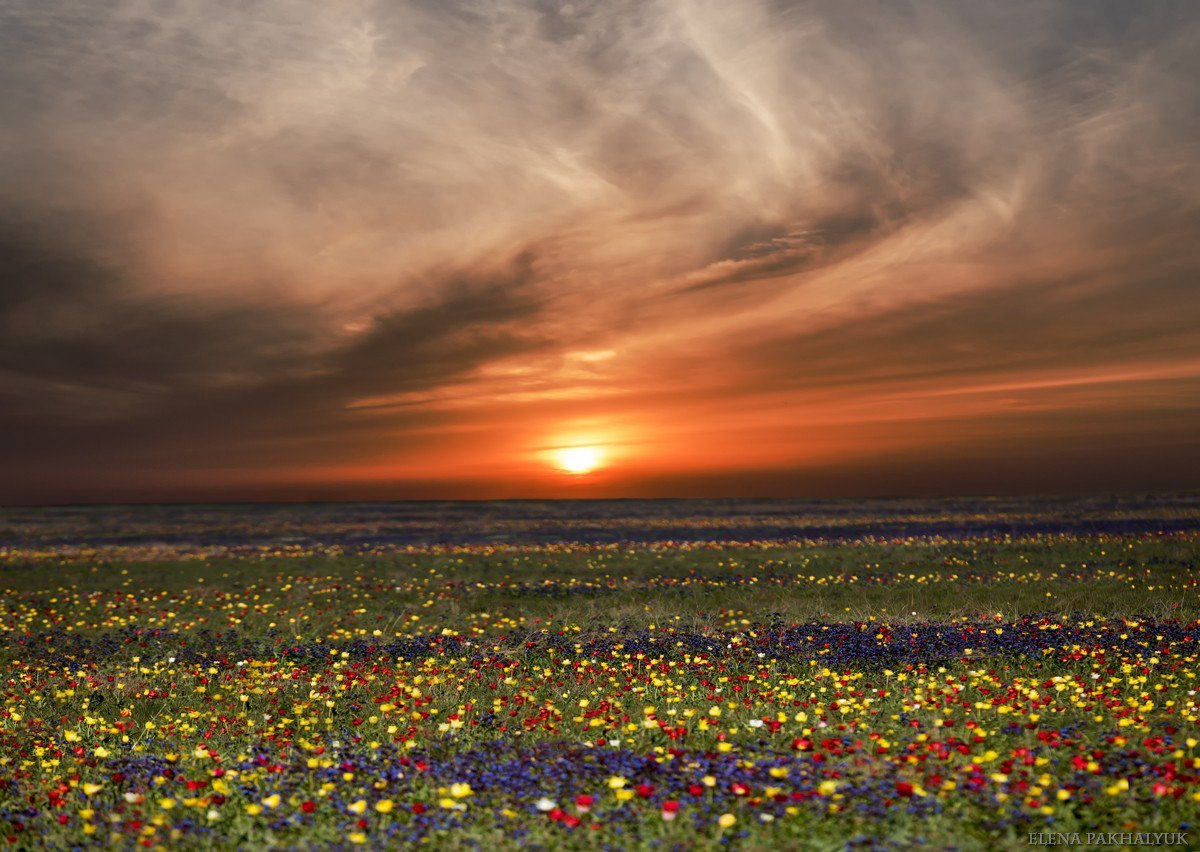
[[503, 249]]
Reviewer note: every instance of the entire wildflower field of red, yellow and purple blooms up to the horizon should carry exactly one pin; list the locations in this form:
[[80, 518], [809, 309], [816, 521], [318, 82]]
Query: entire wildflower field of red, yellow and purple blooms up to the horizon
[[872, 676]]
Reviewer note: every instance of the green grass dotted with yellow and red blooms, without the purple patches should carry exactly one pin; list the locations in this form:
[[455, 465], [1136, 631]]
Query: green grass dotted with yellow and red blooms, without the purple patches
[[125, 635]]
